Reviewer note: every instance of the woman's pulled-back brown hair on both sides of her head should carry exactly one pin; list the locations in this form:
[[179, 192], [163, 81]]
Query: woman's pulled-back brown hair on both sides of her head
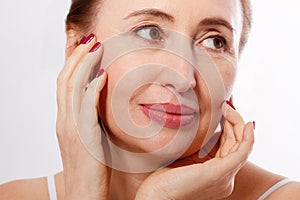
[[82, 16]]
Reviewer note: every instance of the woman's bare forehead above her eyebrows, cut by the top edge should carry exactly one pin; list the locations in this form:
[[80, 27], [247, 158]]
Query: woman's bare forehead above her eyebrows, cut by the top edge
[[184, 11]]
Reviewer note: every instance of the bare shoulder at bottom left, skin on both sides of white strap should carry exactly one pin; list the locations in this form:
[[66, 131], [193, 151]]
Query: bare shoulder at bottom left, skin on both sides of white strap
[[31, 189]]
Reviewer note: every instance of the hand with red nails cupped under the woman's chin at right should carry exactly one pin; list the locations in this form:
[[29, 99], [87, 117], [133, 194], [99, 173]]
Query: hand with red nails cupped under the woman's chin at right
[[213, 179]]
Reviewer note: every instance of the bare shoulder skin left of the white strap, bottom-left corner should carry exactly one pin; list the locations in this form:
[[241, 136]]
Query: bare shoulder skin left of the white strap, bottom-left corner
[[25, 189]]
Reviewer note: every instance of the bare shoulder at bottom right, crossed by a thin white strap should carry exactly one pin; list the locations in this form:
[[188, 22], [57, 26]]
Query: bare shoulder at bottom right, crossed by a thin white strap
[[252, 182]]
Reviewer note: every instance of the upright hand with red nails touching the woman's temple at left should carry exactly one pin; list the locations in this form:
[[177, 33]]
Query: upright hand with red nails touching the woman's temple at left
[[77, 123]]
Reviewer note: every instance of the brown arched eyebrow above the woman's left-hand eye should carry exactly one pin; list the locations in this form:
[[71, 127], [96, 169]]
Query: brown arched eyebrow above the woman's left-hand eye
[[151, 12]]
